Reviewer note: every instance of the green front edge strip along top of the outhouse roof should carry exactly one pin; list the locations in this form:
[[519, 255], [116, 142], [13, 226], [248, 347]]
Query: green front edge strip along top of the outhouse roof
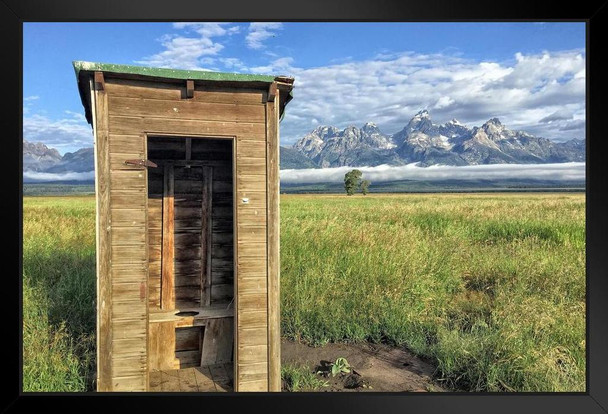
[[169, 73]]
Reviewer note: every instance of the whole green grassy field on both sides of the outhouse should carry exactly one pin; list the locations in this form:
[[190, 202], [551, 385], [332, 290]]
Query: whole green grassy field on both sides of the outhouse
[[491, 287]]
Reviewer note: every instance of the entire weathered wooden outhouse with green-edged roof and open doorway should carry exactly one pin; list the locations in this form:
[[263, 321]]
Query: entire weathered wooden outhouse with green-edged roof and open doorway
[[187, 224]]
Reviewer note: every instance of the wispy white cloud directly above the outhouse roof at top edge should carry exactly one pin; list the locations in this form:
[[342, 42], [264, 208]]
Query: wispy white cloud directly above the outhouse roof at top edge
[[185, 52]]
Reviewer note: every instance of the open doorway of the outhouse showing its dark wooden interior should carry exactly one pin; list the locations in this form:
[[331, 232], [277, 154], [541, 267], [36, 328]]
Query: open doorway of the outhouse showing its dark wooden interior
[[190, 262]]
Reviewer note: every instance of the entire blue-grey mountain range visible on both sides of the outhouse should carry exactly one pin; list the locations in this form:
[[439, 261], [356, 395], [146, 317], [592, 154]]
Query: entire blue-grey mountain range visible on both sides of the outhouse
[[420, 141]]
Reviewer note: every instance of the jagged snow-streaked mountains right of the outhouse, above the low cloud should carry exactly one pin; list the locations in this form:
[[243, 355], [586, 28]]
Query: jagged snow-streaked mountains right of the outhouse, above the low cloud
[[427, 143]]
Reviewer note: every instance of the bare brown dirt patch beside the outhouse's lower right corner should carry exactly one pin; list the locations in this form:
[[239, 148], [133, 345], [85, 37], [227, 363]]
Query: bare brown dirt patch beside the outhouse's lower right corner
[[375, 367]]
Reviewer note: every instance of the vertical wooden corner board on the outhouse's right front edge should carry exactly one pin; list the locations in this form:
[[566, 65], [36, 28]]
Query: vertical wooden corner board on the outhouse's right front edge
[[272, 191]]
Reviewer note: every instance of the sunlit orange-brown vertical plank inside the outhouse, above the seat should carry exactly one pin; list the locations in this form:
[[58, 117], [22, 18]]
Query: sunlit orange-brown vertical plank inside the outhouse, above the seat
[[168, 247]]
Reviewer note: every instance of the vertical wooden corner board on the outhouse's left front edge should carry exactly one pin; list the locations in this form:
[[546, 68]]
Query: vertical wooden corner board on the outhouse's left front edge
[[99, 106]]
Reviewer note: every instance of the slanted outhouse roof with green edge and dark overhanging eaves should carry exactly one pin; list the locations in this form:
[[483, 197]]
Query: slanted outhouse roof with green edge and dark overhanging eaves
[[84, 69]]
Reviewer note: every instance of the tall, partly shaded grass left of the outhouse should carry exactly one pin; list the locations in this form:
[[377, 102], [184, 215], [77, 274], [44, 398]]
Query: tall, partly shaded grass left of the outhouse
[[58, 294]]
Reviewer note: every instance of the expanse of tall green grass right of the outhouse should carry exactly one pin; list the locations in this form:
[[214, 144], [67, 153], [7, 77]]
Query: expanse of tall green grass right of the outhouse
[[491, 287]]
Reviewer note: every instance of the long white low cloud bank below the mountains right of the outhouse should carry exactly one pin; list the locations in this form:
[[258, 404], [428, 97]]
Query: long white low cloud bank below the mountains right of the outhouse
[[569, 171]]
